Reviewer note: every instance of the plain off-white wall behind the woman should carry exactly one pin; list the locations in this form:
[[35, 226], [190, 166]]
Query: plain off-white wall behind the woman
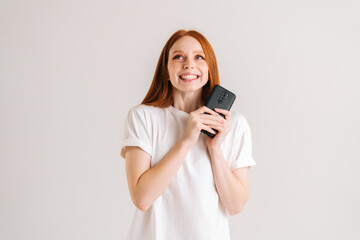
[[70, 71]]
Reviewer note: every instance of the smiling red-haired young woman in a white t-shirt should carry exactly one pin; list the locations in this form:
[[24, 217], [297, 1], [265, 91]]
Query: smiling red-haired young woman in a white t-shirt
[[182, 181]]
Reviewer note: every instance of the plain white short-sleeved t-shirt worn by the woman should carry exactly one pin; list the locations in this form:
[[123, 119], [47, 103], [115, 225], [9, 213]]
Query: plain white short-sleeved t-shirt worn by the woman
[[190, 207]]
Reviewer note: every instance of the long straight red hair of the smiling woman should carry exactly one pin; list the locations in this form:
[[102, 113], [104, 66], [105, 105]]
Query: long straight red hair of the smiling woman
[[160, 92]]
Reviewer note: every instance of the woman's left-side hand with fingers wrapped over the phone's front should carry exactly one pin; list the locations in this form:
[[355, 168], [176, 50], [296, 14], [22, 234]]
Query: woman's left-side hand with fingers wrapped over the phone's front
[[198, 120]]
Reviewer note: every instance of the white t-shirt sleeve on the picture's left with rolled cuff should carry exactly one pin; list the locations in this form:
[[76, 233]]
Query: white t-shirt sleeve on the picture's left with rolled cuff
[[136, 132]]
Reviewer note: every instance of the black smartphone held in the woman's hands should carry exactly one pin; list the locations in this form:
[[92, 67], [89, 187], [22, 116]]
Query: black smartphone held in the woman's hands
[[219, 98]]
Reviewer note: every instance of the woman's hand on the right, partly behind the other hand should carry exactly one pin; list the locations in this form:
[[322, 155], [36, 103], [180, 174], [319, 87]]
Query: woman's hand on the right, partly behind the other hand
[[215, 142]]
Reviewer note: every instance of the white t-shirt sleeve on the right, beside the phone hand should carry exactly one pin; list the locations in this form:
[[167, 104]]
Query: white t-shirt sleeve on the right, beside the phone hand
[[242, 155]]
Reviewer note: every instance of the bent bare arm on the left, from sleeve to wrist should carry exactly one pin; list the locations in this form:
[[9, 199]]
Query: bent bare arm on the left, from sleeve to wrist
[[147, 184]]
